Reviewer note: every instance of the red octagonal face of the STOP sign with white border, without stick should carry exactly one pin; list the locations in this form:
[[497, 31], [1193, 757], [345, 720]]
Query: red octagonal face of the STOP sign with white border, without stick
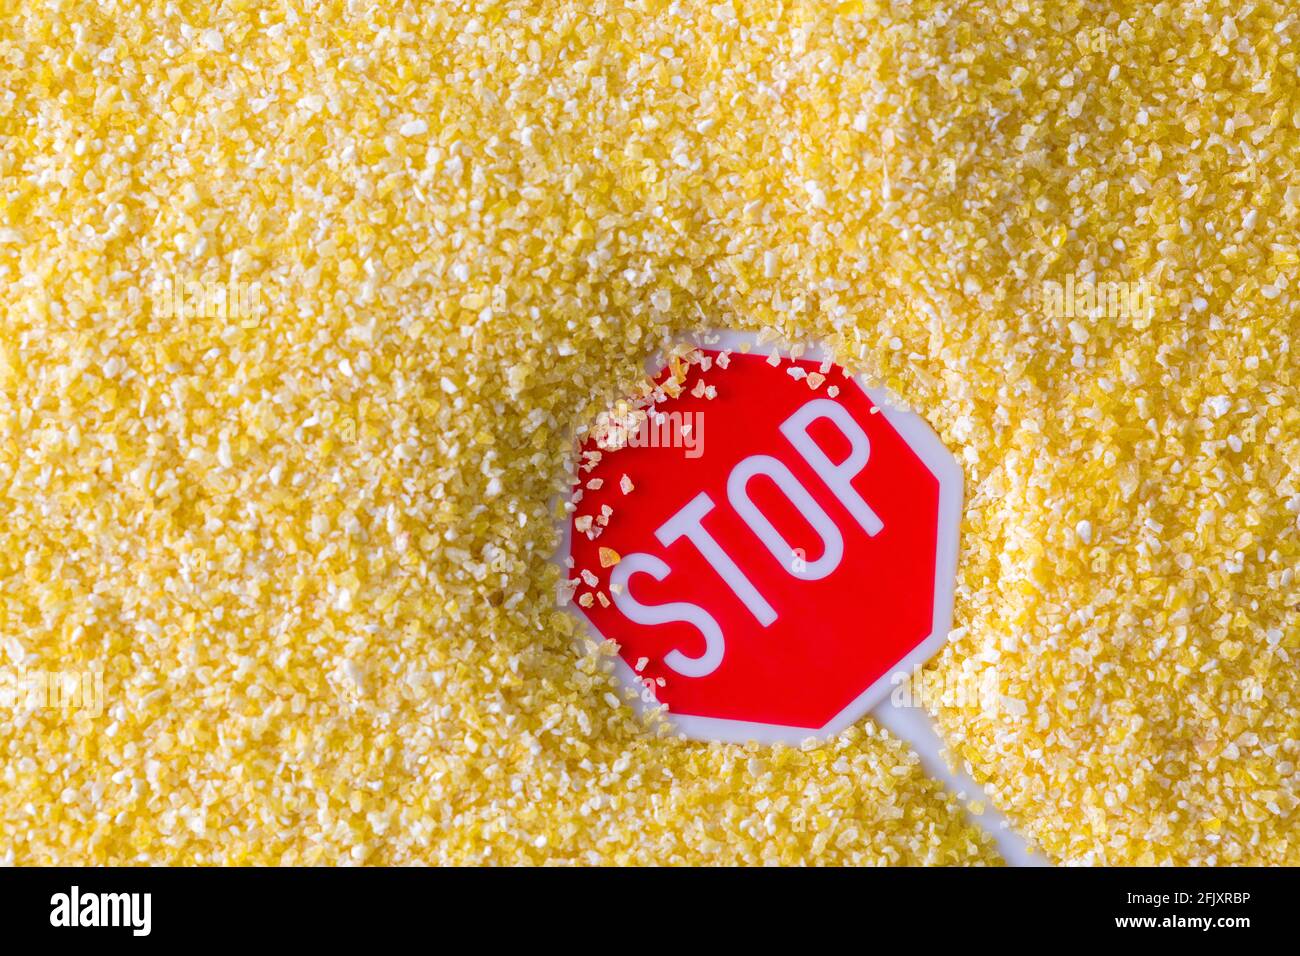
[[768, 542]]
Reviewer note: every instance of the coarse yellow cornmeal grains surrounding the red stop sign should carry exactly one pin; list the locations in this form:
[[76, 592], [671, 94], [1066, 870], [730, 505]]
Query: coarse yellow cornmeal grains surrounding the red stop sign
[[301, 525]]
